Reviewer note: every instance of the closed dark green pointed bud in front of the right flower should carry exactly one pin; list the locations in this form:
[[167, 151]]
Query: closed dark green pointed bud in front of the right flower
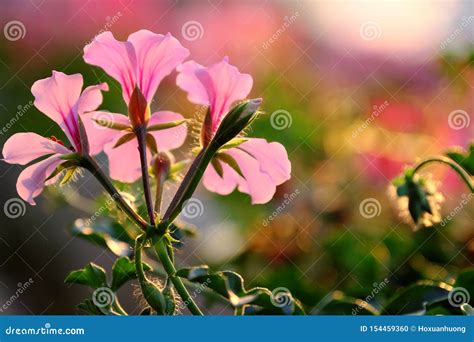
[[236, 121]]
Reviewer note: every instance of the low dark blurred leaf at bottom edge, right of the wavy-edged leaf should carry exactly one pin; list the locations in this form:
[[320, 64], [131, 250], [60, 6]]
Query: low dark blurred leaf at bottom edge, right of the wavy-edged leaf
[[337, 303]]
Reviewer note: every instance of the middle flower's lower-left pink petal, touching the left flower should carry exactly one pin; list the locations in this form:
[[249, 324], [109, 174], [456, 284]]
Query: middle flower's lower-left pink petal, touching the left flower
[[98, 135]]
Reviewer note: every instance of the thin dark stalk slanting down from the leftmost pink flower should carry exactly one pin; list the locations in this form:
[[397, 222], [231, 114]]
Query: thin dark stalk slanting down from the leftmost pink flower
[[90, 164]]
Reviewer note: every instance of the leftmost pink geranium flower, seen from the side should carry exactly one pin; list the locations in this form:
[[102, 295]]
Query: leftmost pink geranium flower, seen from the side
[[60, 98]]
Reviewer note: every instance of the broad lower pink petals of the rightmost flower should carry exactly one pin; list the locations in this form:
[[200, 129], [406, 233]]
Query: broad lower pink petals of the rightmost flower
[[264, 166]]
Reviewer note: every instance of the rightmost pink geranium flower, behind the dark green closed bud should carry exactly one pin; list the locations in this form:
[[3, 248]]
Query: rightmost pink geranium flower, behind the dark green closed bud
[[255, 166]]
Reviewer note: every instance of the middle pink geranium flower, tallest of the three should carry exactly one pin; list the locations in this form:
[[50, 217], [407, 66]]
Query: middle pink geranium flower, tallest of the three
[[139, 65]]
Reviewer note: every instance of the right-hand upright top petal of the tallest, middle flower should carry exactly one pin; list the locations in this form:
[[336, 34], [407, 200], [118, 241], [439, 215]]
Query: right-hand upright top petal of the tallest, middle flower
[[157, 56]]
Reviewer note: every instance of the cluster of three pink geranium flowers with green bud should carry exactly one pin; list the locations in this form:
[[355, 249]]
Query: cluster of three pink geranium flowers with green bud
[[252, 165]]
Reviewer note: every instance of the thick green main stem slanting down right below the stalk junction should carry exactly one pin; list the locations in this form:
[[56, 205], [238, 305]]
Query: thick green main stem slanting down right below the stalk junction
[[164, 257]]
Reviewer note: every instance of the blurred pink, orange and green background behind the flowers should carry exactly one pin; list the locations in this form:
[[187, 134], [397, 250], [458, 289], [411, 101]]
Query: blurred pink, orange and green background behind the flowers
[[354, 90]]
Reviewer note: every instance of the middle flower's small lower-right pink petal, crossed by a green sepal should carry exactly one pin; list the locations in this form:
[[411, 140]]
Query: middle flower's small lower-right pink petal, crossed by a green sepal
[[170, 138]]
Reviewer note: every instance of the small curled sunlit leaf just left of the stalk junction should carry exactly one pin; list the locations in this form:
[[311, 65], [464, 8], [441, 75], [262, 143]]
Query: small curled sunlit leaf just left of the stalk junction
[[105, 233]]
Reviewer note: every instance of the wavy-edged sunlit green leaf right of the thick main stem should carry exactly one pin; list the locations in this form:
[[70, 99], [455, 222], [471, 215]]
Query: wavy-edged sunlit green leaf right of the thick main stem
[[230, 285]]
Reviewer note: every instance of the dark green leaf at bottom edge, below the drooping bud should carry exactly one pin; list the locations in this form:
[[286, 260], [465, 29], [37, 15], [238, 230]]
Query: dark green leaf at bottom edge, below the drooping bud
[[416, 298]]
